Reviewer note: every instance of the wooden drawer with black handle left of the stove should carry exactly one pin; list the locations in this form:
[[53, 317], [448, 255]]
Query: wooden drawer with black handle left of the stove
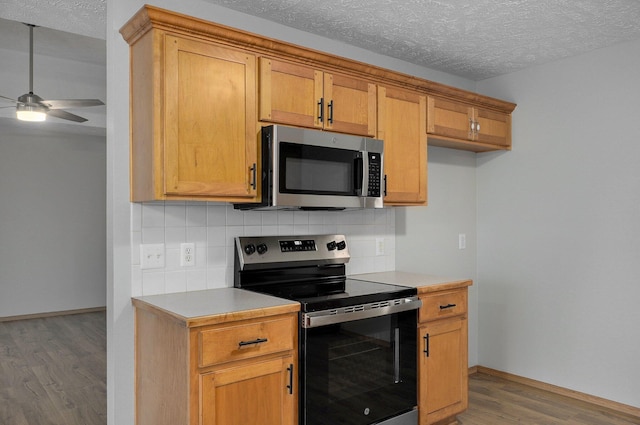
[[243, 341]]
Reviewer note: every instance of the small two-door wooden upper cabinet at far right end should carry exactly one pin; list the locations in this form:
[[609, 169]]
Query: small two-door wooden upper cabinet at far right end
[[453, 123]]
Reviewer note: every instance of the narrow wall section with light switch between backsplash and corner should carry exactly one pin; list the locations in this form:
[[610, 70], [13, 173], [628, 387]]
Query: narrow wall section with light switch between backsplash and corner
[[427, 237]]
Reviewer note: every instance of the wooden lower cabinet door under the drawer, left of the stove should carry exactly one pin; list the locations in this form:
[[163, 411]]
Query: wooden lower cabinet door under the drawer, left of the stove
[[252, 394]]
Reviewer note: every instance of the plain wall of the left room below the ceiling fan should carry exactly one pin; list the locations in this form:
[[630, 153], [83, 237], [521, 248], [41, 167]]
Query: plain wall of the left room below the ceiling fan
[[52, 220]]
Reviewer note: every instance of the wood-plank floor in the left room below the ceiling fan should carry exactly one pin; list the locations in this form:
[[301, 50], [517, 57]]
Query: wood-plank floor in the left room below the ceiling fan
[[53, 370]]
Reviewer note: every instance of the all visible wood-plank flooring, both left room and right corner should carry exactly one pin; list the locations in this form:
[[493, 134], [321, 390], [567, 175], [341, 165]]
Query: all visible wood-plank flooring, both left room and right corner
[[53, 372]]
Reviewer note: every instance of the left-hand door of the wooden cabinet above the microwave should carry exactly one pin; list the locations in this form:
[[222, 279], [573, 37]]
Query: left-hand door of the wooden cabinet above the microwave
[[290, 94]]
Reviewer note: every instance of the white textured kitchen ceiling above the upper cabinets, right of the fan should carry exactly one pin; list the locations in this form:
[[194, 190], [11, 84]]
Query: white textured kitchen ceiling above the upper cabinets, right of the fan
[[473, 39]]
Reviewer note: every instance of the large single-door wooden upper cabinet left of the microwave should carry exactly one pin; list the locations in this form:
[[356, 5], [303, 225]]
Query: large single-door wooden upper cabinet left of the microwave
[[193, 117]]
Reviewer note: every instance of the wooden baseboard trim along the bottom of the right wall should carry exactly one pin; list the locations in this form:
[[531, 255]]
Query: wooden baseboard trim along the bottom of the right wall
[[576, 395]]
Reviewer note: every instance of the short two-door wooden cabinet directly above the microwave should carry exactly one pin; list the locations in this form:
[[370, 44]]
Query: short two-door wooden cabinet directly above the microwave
[[305, 96]]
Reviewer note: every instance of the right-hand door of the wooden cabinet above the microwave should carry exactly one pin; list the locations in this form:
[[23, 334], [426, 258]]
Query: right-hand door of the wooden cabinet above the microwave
[[350, 105]]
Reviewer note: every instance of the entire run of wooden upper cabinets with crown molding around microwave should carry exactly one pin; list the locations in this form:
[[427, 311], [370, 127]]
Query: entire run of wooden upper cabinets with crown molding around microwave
[[201, 91]]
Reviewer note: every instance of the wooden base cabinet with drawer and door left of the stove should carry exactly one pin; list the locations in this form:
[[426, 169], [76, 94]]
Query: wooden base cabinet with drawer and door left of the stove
[[235, 368]]
